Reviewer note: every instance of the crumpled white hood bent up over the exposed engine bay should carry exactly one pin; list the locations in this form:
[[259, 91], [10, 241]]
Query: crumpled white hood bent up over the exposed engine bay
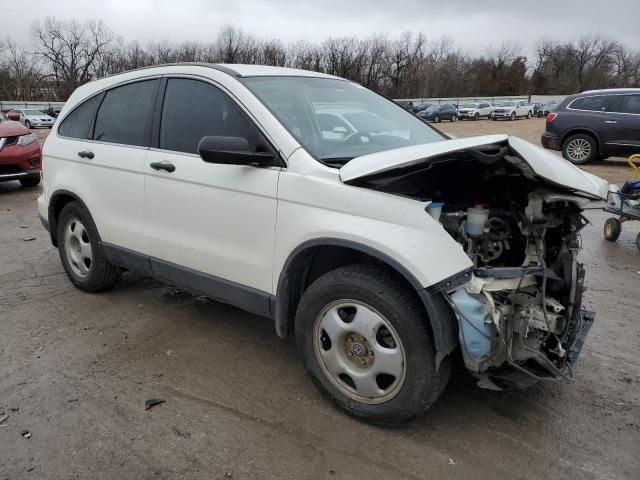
[[544, 163]]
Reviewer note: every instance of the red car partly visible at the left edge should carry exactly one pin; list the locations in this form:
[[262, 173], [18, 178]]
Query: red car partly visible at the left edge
[[20, 155]]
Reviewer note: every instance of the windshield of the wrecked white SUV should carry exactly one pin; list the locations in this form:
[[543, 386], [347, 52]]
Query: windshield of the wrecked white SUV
[[337, 120]]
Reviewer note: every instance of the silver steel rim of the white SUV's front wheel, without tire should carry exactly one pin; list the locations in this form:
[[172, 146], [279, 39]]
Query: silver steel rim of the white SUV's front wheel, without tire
[[360, 353]]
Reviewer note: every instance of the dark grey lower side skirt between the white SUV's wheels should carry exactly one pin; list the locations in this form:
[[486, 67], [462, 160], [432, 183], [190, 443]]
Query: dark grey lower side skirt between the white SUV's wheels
[[220, 289]]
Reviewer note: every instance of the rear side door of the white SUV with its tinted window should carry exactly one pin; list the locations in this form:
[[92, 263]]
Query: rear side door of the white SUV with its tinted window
[[109, 171]]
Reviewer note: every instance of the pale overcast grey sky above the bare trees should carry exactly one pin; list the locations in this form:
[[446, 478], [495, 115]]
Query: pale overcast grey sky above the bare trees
[[474, 24]]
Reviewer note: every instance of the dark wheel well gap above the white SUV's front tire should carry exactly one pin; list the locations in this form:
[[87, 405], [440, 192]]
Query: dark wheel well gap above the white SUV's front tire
[[311, 263]]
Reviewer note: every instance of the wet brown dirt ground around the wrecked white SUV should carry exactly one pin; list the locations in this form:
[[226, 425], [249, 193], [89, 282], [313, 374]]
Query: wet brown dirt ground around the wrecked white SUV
[[76, 369]]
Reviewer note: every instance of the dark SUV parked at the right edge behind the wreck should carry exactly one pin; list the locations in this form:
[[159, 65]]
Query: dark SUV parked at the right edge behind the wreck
[[594, 125]]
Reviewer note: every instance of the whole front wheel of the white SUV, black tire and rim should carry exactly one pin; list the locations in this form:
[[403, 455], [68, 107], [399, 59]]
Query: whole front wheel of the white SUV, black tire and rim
[[375, 294]]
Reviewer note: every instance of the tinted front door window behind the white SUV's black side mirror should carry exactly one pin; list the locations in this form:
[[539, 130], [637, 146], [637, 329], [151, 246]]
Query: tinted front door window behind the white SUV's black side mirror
[[193, 109]]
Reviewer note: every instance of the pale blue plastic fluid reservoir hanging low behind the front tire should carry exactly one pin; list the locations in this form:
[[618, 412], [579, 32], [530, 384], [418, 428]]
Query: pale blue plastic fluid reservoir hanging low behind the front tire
[[475, 333]]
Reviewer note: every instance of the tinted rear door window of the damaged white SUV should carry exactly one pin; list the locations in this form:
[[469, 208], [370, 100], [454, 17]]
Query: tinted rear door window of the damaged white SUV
[[124, 113]]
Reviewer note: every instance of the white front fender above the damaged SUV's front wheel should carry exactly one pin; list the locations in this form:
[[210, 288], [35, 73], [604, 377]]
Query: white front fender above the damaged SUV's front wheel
[[315, 204]]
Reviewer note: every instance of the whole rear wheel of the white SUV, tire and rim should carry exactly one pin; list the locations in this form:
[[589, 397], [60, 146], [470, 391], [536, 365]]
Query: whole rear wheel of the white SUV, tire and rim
[[84, 261]]
